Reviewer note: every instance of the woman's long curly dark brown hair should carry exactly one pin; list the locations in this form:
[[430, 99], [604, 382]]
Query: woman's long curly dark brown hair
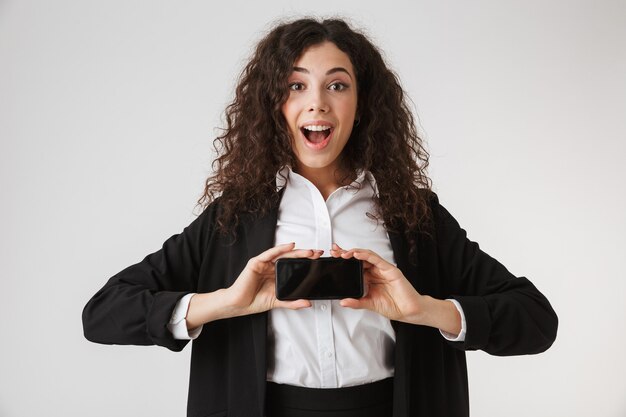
[[256, 142]]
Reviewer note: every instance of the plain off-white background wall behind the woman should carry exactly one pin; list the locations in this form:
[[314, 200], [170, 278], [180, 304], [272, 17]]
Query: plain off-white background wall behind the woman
[[108, 110]]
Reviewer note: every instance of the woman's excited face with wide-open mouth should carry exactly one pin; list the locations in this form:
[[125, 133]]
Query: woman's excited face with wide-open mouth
[[321, 107]]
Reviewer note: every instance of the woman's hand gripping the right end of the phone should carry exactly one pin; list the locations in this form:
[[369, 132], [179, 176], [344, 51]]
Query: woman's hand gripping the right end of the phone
[[390, 294]]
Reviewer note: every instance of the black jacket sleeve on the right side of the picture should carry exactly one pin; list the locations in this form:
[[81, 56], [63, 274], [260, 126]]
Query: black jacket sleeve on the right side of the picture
[[505, 315]]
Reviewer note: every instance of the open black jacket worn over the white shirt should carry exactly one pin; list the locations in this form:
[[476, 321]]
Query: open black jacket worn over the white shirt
[[505, 315]]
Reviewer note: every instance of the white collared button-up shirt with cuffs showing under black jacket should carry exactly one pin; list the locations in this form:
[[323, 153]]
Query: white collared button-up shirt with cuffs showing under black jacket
[[325, 346]]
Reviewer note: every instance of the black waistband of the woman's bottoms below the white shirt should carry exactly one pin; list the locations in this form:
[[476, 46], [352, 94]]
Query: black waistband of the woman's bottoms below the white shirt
[[373, 399]]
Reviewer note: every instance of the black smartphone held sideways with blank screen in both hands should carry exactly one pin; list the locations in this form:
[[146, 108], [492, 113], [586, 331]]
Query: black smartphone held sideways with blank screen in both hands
[[318, 279]]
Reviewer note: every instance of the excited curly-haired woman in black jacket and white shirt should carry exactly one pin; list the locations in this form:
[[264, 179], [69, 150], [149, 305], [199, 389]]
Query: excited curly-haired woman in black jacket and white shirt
[[320, 157]]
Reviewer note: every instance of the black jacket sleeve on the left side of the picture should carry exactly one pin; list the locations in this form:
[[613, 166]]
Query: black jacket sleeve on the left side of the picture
[[135, 305]]
